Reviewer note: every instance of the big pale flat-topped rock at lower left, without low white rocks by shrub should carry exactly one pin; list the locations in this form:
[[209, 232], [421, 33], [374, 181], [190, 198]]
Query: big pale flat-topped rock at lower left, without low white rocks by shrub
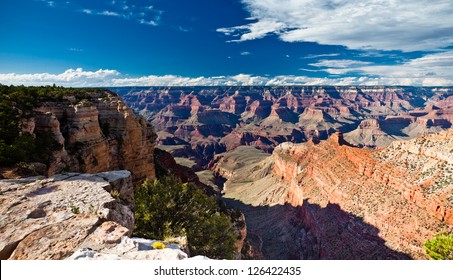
[[61, 212]]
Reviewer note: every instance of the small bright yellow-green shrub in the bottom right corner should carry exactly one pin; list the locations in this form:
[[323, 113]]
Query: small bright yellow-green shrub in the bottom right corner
[[440, 247]]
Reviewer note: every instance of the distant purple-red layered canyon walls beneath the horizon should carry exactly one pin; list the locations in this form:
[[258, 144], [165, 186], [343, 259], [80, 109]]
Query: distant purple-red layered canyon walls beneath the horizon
[[200, 122]]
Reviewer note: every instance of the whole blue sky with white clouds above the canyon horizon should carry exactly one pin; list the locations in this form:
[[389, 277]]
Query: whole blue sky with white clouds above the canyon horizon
[[226, 42]]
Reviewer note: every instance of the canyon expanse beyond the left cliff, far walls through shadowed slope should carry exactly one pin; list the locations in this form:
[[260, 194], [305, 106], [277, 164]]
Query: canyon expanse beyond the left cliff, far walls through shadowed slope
[[358, 188]]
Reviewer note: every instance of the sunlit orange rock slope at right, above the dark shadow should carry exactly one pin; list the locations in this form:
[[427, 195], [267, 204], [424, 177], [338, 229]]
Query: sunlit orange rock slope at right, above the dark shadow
[[404, 191]]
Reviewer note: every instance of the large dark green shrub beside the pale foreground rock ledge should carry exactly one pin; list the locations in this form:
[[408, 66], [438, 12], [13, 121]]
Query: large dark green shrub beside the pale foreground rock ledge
[[167, 207]]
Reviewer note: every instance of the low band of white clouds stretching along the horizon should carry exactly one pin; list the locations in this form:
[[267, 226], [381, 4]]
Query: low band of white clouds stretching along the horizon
[[430, 70]]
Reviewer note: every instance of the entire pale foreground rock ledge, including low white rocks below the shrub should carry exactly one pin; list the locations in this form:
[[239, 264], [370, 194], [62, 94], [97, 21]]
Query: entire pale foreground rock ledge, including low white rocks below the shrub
[[73, 216]]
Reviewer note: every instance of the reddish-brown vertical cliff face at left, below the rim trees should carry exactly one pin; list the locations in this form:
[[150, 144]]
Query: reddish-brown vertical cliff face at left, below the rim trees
[[95, 135]]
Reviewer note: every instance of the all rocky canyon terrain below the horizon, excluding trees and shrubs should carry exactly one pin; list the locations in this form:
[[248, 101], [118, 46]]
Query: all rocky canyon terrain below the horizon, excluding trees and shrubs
[[317, 172]]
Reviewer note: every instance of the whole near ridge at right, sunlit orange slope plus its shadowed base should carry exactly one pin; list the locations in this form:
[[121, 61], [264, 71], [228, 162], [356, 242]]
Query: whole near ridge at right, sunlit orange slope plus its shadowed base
[[346, 202]]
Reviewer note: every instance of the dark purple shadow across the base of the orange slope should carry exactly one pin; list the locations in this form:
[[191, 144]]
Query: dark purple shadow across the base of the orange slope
[[312, 232]]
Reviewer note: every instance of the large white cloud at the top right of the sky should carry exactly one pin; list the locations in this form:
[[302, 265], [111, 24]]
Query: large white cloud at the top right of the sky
[[405, 25]]
